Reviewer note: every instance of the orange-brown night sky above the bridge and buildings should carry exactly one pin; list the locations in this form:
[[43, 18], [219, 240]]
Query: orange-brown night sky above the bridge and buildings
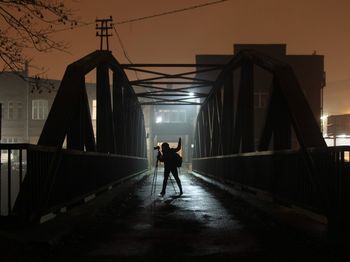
[[305, 26]]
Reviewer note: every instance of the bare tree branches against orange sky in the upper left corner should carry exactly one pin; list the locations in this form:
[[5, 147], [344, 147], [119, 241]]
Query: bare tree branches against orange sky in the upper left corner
[[29, 24]]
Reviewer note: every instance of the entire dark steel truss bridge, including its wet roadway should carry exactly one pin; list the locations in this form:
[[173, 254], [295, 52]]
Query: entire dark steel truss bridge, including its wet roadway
[[260, 184]]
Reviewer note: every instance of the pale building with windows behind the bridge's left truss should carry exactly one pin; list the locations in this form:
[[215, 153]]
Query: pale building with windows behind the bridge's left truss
[[26, 103]]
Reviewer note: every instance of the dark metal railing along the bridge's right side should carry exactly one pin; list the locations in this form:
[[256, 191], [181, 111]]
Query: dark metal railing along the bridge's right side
[[286, 176]]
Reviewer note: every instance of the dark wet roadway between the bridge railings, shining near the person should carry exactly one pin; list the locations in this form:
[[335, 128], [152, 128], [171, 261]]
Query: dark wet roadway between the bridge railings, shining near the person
[[204, 224]]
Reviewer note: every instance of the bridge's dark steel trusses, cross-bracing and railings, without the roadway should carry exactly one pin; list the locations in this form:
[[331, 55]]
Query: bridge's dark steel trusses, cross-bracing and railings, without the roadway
[[279, 151]]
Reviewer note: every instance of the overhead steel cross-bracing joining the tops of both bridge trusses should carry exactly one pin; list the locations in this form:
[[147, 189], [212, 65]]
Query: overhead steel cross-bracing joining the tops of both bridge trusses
[[185, 88]]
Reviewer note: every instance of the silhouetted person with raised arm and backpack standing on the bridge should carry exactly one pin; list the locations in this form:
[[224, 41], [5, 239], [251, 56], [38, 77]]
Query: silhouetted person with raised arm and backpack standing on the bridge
[[169, 158]]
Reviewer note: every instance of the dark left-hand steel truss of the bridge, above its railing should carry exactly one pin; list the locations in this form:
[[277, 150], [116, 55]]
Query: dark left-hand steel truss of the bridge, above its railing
[[119, 124]]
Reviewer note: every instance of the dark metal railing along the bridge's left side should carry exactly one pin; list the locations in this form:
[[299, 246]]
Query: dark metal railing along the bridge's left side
[[36, 179]]
